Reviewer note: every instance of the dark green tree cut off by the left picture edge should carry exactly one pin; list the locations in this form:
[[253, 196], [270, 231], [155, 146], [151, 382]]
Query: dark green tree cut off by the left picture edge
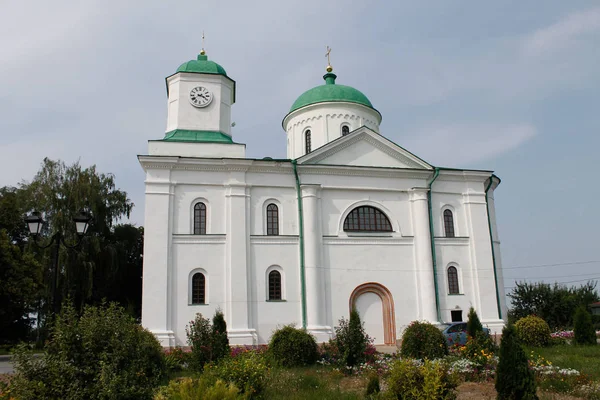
[[20, 283]]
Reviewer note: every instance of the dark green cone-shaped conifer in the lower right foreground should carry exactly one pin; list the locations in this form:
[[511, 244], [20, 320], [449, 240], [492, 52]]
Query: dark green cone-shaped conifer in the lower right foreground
[[514, 378]]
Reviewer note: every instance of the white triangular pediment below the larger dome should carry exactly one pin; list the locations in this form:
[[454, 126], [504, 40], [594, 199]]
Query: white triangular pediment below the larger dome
[[365, 148]]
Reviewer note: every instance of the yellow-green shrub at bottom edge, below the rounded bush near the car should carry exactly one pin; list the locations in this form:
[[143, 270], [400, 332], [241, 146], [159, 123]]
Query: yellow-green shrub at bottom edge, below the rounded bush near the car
[[416, 380]]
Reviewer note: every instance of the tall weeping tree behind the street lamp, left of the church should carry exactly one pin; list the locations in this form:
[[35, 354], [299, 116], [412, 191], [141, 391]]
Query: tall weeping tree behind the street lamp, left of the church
[[60, 191]]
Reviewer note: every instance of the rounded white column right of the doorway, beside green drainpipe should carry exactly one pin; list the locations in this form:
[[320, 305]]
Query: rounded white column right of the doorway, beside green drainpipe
[[423, 258]]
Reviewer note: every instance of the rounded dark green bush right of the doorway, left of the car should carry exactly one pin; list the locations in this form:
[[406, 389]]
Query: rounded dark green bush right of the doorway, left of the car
[[421, 340]]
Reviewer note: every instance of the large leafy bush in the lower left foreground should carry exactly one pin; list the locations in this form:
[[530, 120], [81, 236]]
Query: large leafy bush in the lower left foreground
[[102, 354]]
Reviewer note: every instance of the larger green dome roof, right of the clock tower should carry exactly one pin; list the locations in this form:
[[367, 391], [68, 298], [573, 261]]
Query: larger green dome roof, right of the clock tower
[[330, 92]]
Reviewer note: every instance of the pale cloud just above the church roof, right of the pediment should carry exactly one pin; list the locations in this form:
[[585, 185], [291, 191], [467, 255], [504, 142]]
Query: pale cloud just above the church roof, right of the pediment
[[459, 145]]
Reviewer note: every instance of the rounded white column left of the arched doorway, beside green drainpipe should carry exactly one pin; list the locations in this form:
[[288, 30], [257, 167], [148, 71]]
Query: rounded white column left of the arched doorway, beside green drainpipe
[[313, 266]]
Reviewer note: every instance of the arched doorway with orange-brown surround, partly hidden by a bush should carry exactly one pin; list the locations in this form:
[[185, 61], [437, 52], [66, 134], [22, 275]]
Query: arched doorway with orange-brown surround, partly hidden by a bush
[[375, 305]]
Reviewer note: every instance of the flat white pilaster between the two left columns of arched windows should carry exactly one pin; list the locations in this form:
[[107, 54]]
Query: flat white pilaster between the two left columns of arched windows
[[237, 312]]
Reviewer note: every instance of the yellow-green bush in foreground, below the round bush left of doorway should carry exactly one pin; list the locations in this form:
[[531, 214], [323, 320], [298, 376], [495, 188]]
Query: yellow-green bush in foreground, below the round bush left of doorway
[[248, 372]]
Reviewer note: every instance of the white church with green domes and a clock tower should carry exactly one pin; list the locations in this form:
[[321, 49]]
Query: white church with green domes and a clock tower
[[348, 219]]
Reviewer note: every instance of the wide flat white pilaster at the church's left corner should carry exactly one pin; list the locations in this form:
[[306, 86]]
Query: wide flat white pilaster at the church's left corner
[[157, 299]]
